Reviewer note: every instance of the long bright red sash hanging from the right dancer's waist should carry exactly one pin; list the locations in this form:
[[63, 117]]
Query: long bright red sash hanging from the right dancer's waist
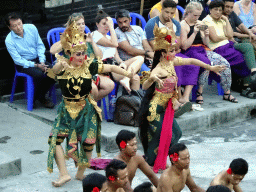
[[165, 139]]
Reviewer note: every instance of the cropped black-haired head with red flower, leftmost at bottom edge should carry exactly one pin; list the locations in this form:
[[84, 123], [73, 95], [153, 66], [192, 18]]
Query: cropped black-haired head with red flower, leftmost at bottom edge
[[94, 182]]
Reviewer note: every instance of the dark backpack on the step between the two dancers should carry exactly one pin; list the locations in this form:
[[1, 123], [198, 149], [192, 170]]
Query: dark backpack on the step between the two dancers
[[127, 109]]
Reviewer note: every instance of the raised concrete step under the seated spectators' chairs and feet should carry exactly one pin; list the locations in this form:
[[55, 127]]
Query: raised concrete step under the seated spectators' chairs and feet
[[216, 112]]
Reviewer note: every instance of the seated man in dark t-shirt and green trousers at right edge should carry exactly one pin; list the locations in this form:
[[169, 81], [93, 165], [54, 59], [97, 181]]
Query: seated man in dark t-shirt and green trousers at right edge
[[244, 39]]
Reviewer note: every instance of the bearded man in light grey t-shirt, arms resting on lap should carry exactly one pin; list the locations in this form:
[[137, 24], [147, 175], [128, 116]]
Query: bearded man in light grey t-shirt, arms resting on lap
[[132, 40]]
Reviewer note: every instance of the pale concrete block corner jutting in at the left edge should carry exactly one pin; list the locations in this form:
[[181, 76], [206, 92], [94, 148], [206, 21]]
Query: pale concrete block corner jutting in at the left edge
[[9, 165]]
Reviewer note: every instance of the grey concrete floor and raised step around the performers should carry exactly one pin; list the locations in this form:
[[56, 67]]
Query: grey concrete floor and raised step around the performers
[[211, 143]]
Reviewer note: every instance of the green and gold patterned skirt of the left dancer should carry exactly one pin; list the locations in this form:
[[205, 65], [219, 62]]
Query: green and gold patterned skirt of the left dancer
[[85, 129]]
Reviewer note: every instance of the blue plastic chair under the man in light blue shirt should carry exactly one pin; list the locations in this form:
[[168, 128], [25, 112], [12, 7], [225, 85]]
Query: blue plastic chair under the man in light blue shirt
[[29, 90]]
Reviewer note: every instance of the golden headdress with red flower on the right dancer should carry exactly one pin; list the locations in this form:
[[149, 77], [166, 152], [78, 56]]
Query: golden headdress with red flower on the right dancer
[[164, 38]]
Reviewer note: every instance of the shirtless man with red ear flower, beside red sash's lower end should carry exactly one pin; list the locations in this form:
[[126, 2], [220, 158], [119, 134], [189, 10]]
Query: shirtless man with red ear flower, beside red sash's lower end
[[178, 174]]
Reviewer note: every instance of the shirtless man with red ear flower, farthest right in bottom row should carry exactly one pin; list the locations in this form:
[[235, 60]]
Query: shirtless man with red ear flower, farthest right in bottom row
[[231, 178]]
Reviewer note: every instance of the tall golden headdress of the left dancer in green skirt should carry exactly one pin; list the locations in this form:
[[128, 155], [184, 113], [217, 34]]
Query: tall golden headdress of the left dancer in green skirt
[[73, 40]]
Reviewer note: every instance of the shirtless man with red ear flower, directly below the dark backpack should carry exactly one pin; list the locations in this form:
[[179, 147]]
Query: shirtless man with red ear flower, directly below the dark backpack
[[127, 143]]
